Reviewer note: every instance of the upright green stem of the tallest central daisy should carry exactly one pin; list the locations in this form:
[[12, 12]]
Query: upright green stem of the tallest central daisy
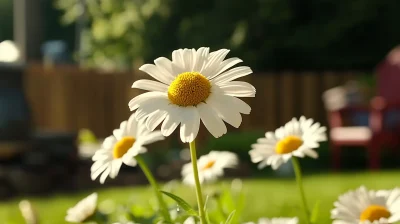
[[200, 201]]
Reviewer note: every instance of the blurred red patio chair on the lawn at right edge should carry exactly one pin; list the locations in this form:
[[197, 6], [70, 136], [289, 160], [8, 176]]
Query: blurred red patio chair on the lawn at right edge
[[382, 115]]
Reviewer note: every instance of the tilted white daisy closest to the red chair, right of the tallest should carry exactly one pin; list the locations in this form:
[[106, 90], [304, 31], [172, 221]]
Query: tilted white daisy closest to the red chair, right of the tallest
[[297, 138]]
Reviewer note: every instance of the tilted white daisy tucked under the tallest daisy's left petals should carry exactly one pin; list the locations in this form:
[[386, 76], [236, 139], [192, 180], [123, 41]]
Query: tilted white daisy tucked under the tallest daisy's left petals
[[126, 142]]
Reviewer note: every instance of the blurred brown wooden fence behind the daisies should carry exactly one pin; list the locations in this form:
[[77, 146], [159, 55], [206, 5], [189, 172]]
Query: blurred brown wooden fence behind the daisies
[[69, 99]]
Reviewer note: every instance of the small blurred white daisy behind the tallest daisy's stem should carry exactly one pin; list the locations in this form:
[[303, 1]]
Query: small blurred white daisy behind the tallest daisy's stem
[[210, 166]]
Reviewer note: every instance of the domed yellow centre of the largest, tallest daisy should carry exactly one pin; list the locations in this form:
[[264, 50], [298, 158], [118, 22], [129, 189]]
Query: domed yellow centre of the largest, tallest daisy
[[189, 89]]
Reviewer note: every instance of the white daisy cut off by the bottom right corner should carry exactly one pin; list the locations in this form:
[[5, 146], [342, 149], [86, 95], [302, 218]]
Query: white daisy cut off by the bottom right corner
[[364, 206]]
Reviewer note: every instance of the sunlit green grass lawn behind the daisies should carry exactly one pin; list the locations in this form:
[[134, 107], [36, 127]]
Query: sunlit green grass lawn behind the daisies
[[264, 197]]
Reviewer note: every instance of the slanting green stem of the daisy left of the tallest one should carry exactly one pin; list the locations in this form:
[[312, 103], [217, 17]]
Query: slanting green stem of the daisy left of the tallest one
[[153, 182]]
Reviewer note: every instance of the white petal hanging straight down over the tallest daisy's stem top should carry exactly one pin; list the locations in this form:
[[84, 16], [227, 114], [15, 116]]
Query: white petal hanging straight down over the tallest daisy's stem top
[[190, 124]]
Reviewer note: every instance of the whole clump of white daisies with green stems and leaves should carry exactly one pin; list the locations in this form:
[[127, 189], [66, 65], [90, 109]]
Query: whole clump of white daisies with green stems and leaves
[[198, 86]]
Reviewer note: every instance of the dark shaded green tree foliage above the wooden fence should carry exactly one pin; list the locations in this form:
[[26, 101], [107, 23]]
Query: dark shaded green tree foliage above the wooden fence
[[274, 34]]
